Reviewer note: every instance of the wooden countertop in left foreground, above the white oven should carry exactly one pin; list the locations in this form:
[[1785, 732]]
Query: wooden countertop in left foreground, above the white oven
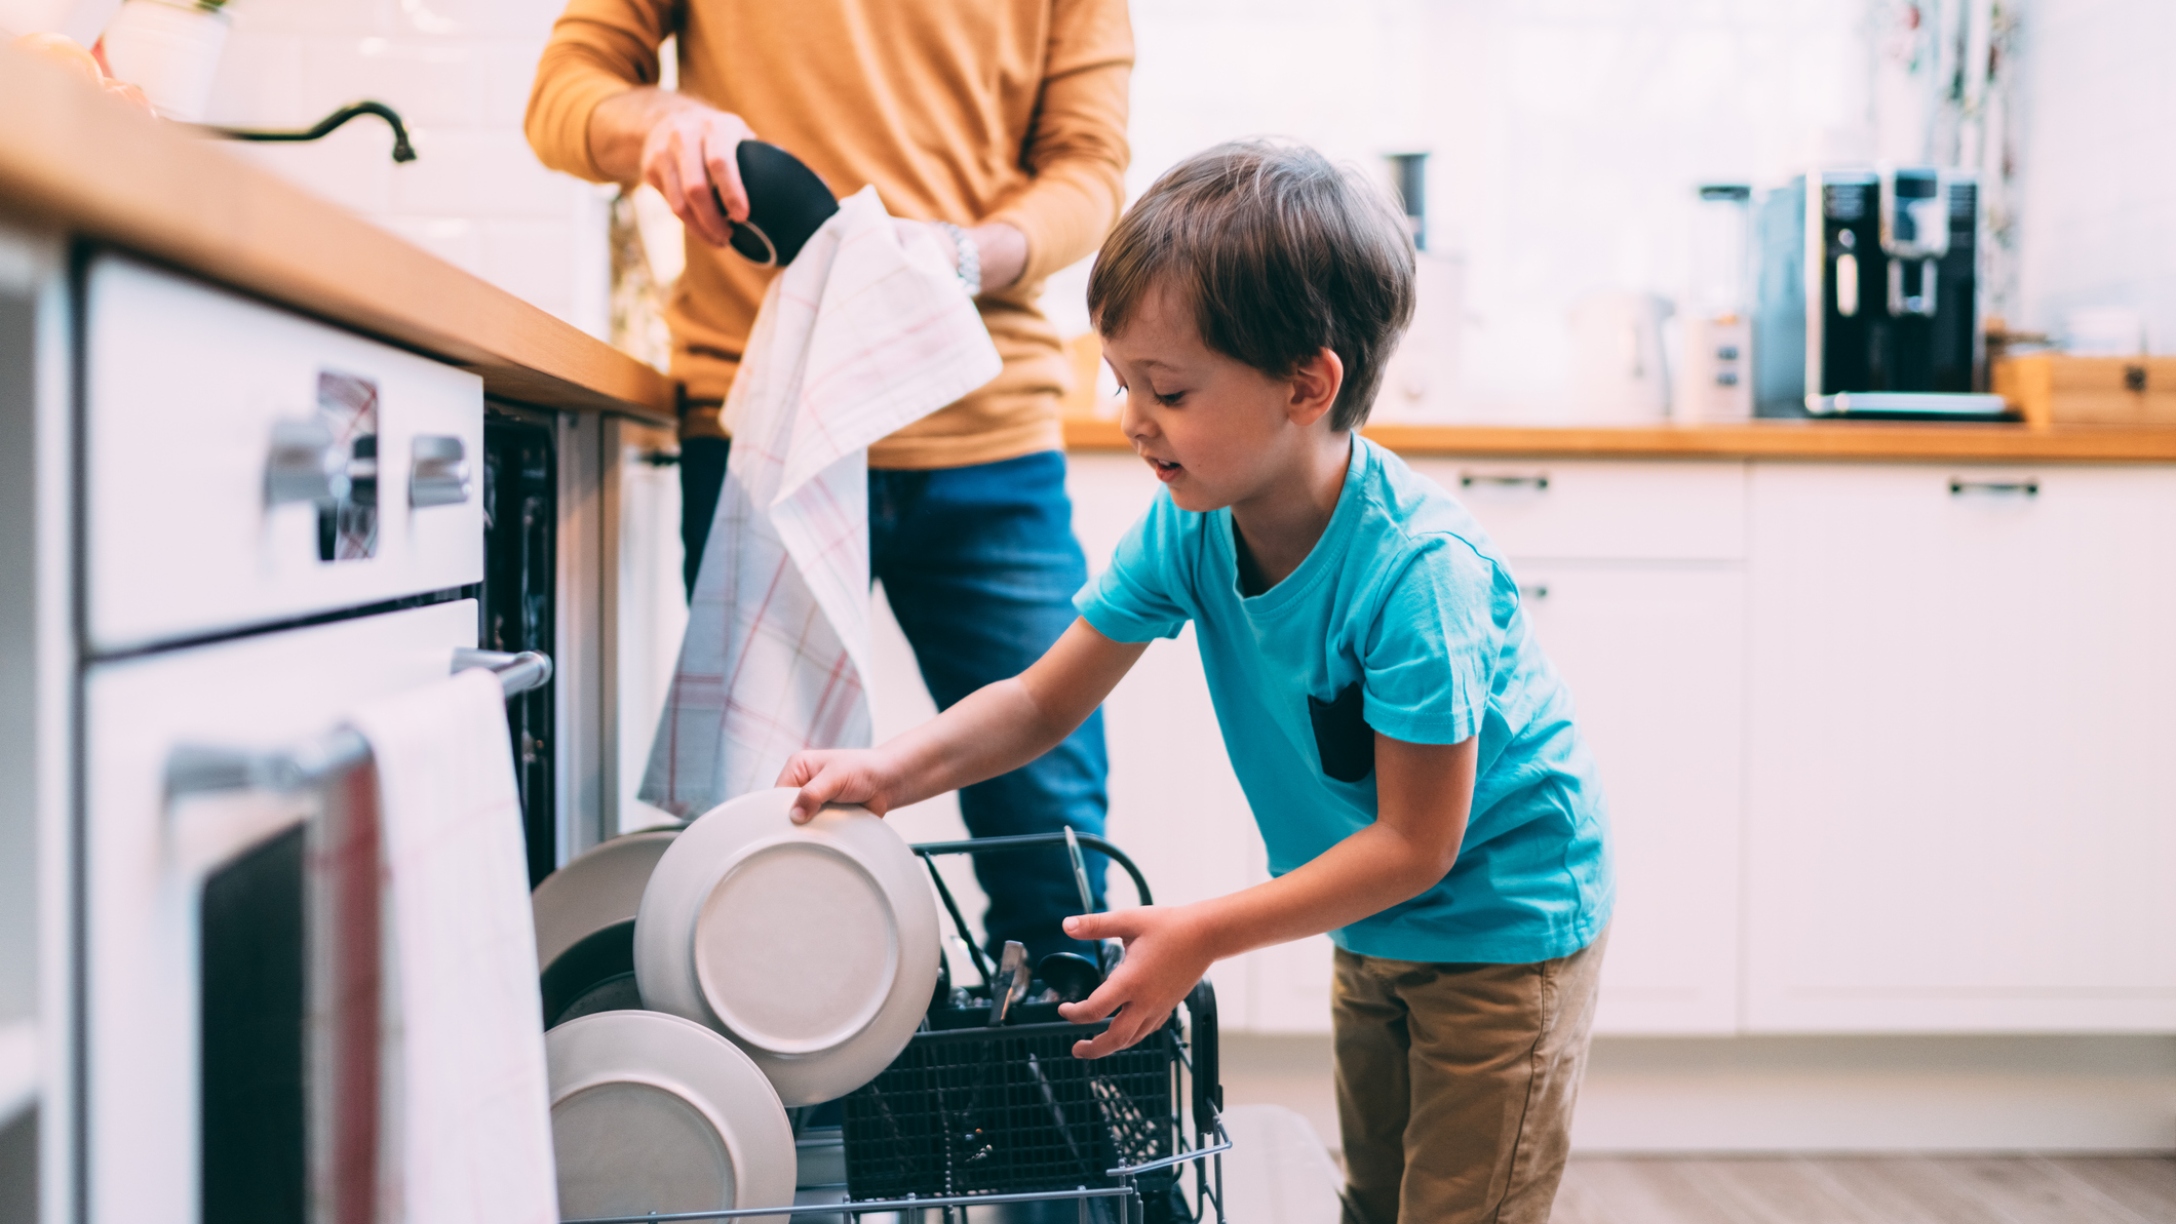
[[82, 164]]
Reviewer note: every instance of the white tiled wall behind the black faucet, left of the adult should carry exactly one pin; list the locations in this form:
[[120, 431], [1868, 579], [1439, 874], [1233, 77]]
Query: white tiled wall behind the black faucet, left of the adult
[[460, 73]]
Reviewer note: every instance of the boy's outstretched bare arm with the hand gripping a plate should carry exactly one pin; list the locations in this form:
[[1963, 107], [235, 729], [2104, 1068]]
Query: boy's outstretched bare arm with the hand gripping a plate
[[993, 731]]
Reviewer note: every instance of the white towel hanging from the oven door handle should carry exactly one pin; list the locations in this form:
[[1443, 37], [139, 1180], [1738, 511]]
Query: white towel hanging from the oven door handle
[[467, 1123]]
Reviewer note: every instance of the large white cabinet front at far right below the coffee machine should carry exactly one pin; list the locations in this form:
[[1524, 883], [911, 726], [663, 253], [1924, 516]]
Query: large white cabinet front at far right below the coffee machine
[[1962, 691]]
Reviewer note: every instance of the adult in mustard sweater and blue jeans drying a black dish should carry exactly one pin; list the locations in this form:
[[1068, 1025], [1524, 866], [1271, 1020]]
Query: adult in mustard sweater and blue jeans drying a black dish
[[1002, 121]]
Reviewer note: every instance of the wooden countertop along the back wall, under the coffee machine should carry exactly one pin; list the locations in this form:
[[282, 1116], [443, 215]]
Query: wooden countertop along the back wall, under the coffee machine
[[1833, 441]]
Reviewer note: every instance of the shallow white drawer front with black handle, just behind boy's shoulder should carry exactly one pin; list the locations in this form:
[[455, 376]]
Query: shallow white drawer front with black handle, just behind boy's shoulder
[[1596, 511]]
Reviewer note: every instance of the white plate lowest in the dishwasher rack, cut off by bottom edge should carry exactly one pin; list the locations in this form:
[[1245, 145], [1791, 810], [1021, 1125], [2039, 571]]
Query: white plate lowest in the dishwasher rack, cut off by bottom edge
[[658, 1114]]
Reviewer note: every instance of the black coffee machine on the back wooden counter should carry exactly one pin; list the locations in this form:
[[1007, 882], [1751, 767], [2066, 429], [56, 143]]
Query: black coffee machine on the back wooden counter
[[1868, 297]]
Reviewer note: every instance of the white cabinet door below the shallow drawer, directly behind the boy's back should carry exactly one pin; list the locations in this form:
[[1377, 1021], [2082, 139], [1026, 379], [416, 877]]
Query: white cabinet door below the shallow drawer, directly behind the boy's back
[[1655, 657]]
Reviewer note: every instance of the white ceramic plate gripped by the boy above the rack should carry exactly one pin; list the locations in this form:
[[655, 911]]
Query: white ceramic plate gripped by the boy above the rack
[[815, 946]]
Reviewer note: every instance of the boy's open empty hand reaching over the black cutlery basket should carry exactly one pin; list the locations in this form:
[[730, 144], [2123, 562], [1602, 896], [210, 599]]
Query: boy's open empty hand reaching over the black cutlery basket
[[1167, 948]]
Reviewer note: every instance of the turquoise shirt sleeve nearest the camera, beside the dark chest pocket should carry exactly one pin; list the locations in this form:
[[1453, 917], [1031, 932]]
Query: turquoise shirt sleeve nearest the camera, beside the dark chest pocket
[[1431, 657]]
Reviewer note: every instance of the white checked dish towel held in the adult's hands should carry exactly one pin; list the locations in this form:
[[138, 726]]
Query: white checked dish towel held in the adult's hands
[[865, 332]]
